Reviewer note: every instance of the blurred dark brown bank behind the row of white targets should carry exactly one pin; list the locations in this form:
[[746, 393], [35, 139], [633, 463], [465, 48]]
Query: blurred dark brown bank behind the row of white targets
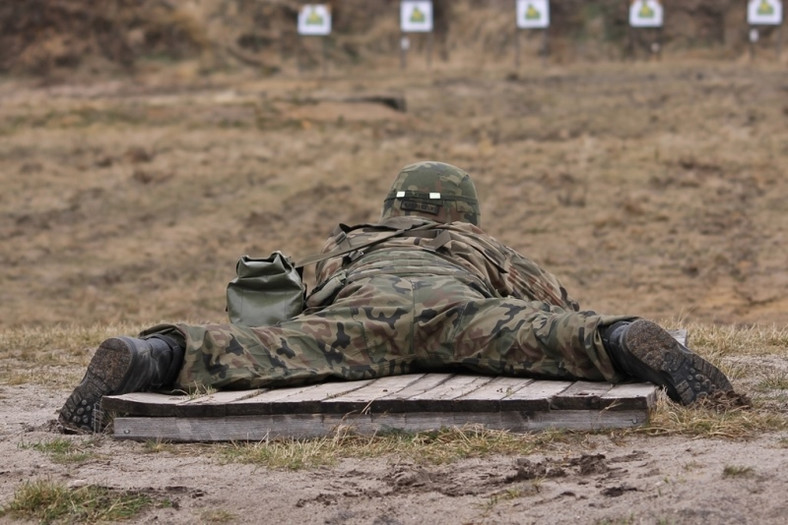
[[52, 37]]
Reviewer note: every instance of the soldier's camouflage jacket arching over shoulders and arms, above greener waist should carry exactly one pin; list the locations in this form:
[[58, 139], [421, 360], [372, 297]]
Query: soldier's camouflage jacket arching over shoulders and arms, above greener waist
[[504, 272]]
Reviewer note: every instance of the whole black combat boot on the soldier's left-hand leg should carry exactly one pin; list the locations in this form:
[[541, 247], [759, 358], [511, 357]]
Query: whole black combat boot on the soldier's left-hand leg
[[121, 365]]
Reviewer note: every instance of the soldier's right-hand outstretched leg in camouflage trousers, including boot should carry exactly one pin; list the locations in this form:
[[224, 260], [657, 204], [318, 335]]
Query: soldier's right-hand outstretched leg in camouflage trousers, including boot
[[533, 339]]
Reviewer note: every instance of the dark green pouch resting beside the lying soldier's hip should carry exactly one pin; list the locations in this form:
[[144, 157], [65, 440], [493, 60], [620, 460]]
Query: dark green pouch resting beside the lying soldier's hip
[[265, 291]]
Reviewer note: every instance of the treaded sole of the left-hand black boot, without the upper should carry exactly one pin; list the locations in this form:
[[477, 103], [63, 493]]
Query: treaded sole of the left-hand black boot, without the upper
[[106, 372]]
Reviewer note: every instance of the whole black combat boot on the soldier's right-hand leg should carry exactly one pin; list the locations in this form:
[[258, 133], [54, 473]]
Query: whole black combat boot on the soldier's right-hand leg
[[646, 351]]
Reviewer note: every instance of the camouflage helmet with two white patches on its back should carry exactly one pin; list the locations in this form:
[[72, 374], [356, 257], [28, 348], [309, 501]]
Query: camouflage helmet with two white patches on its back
[[434, 190]]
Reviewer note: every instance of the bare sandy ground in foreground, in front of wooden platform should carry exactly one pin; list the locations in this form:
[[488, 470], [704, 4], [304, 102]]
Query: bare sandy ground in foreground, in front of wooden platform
[[596, 478]]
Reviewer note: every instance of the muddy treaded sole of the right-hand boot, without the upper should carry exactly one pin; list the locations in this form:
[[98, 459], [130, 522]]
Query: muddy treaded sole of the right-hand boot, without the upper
[[684, 374]]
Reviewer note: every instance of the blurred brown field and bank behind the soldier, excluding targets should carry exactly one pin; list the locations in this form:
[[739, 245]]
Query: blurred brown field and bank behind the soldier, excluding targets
[[146, 144]]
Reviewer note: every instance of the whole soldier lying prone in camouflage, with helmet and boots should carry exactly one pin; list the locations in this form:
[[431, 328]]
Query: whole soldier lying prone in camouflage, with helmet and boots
[[437, 295]]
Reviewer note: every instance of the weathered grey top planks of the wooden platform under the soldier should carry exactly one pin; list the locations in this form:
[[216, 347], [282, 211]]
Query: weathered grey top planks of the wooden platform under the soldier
[[338, 398]]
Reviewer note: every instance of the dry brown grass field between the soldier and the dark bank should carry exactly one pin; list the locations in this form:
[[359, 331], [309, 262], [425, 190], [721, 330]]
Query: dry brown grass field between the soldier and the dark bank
[[663, 179]]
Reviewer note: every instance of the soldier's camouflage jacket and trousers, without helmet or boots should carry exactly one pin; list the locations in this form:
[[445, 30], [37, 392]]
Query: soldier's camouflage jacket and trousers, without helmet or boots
[[410, 304]]
